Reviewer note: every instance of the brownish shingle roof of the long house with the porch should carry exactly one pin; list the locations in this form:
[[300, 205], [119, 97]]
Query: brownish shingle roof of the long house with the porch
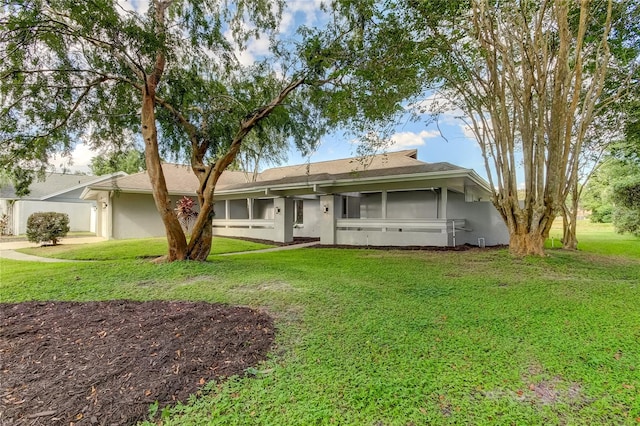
[[383, 167]]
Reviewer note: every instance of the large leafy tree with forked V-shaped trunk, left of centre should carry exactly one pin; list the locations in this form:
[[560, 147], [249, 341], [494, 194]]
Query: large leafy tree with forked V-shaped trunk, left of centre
[[93, 69]]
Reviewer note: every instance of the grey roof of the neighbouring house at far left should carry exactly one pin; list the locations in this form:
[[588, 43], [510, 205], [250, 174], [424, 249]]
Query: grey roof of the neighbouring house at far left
[[55, 184]]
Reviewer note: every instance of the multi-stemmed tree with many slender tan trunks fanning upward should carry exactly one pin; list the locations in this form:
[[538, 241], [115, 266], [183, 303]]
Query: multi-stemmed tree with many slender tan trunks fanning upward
[[529, 78]]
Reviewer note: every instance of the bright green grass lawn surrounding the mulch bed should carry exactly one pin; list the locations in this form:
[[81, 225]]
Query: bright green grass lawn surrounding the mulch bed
[[370, 337]]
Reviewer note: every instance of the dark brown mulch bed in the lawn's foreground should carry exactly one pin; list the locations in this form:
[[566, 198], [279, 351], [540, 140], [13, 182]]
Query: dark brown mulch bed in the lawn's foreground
[[104, 363]]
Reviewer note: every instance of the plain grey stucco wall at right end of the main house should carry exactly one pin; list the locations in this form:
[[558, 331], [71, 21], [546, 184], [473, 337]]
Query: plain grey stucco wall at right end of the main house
[[482, 219]]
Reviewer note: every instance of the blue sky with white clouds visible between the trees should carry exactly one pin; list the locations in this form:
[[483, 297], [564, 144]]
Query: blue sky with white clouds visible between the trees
[[450, 141]]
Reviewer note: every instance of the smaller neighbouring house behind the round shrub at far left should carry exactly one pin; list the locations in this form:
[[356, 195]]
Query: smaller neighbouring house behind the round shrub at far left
[[60, 193]]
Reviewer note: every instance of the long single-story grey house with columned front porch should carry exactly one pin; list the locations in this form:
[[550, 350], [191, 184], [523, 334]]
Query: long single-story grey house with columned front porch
[[392, 199]]
